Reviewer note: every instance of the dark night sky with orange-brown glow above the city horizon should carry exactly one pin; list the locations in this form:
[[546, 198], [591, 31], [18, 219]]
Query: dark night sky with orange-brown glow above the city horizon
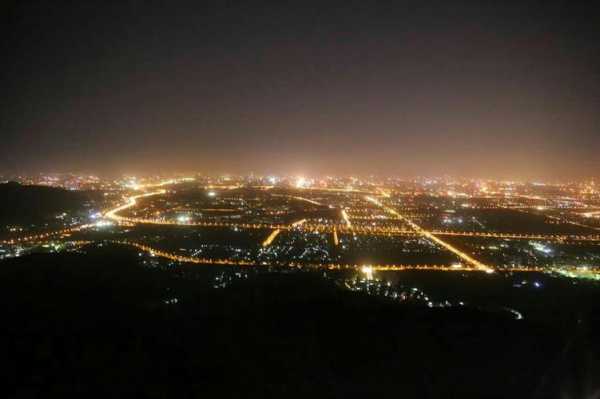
[[483, 89]]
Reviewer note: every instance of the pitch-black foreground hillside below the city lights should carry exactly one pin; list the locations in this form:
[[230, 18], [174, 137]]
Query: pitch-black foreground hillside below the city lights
[[100, 325]]
